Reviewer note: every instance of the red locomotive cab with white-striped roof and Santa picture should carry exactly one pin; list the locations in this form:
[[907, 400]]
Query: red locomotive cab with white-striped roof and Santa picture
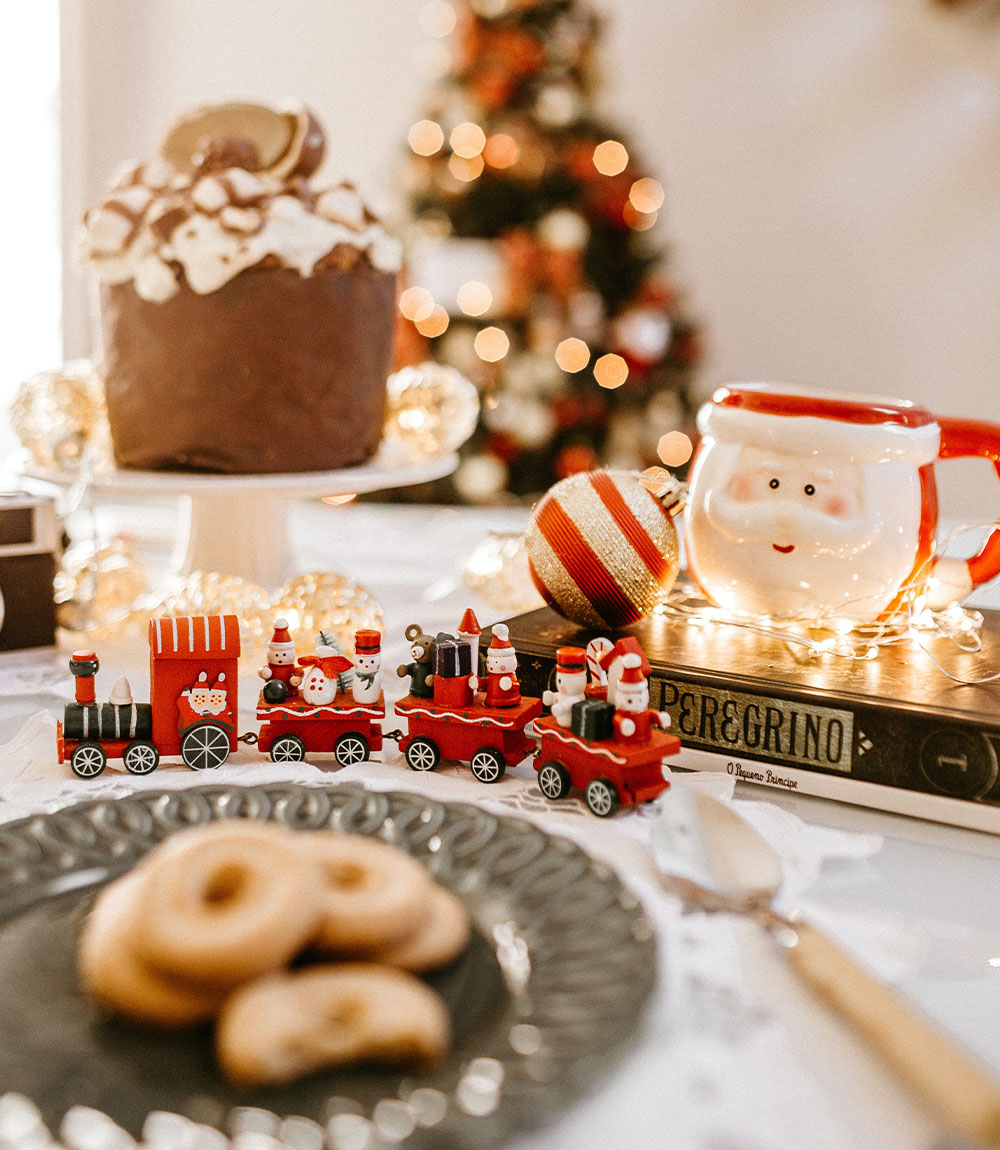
[[194, 668]]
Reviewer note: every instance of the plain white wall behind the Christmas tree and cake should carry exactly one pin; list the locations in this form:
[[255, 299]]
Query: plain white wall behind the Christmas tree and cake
[[833, 166]]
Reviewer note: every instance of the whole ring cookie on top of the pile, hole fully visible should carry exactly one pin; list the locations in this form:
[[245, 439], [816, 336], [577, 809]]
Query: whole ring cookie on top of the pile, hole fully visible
[[228, 902]]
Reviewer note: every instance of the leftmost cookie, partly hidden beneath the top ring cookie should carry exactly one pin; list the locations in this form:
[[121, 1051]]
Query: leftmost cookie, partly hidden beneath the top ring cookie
[[117, 978]]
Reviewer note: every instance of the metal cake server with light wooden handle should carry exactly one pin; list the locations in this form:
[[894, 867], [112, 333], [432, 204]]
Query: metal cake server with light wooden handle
[[747, 876]]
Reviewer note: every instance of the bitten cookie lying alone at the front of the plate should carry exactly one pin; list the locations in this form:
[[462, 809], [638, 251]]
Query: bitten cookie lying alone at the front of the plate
[[284, 1026]]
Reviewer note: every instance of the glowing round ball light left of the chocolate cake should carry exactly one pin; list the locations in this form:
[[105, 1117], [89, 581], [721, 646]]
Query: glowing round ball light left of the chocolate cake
[[60, 418]]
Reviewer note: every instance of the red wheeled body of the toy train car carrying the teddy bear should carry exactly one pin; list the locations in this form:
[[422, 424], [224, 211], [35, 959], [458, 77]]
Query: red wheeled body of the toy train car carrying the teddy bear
[[489, 739]]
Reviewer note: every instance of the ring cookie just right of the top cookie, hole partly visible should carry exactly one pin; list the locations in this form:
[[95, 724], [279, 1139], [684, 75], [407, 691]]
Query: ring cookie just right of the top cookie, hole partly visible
[[374, 895]]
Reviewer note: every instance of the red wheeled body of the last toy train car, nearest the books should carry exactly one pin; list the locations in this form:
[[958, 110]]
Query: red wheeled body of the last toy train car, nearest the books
[[612, 773]]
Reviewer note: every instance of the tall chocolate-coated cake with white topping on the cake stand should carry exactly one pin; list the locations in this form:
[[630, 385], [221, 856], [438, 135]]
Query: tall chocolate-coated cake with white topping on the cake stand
[[245, 319]]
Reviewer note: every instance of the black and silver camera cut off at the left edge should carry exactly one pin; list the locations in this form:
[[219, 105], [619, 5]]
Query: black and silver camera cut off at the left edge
[[29, 542]]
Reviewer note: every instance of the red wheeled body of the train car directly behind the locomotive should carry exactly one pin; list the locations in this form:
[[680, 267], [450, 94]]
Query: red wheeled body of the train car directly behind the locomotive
[[348, 730]]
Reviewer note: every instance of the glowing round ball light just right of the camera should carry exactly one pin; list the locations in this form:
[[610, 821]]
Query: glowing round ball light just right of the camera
[[99, 586]]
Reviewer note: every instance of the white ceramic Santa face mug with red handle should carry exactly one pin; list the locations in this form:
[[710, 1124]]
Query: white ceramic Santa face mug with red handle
[[825, 505]]
